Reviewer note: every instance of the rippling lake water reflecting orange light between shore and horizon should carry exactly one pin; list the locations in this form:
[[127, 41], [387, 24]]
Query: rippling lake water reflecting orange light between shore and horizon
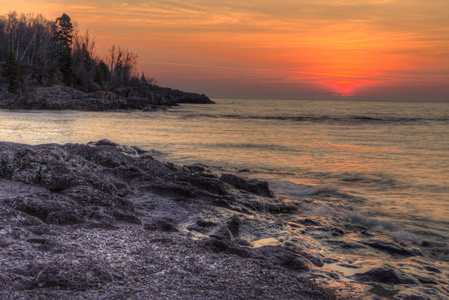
[[388, 161]]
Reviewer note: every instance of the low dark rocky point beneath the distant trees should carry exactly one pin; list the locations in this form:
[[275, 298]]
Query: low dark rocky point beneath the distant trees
[[59, 97]]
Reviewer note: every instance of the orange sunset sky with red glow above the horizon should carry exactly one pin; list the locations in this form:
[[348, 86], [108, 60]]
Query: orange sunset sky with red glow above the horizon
[[284, 49]]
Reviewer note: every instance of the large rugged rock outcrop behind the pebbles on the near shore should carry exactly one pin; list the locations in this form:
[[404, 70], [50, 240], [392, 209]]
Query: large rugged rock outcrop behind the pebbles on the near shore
[[103, 183]]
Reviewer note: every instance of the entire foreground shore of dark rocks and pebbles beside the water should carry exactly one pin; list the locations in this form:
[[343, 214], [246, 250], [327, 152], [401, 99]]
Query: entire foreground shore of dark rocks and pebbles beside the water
[[109, 221]]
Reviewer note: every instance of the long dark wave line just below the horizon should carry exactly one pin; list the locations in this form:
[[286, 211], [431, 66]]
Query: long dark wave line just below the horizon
[[354, 119]]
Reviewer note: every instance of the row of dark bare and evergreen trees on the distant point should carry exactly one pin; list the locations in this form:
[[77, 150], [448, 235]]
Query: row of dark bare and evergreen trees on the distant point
[[56, 53]]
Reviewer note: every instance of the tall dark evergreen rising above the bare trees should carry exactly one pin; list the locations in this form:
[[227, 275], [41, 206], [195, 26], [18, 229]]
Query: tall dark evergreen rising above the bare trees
[[64, 35]]
